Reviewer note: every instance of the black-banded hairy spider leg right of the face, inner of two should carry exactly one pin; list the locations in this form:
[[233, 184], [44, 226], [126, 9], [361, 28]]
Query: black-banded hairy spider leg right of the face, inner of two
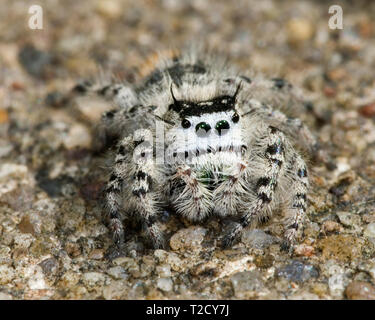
[[273, 155]]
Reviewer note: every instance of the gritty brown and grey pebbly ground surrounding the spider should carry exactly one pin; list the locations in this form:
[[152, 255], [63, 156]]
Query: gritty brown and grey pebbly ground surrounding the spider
[[52, 240]]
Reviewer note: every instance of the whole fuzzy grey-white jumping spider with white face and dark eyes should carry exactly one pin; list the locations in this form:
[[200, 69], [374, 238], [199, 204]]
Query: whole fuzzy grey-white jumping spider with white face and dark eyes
[[197, 136]]
